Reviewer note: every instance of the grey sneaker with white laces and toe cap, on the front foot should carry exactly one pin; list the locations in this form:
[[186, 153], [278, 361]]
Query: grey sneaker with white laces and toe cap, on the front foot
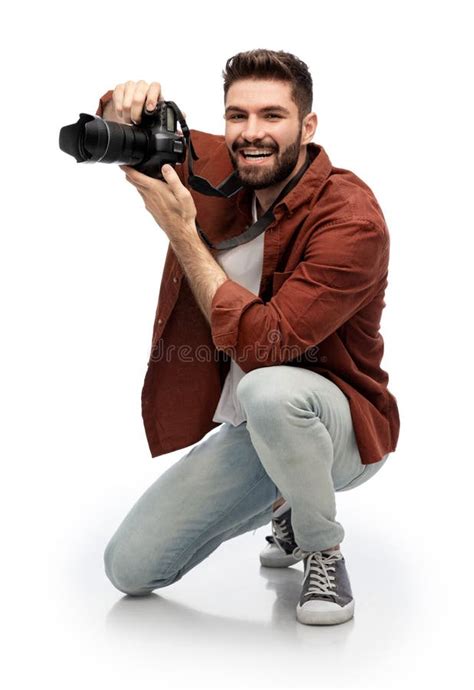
[[326, 597]]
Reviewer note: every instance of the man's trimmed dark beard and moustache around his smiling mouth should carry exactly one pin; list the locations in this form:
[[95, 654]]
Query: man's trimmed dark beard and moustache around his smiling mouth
[[262, 176]]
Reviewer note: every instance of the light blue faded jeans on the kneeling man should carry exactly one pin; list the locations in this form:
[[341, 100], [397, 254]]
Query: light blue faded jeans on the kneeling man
[[298, 441]]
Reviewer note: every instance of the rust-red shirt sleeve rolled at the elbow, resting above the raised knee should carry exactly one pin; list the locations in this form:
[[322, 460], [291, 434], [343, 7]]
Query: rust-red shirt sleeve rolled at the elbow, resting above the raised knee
[[341, 271]]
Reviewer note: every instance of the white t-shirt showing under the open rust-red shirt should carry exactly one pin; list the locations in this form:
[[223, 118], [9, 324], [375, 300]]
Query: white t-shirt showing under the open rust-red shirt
[[244, 265]]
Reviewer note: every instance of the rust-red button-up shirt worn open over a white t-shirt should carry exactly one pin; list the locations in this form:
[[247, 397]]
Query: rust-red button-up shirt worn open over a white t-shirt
[[319, 306]]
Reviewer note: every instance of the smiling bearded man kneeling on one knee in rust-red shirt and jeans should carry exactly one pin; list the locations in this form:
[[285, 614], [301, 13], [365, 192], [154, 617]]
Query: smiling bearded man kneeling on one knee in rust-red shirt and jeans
[[267, 326]]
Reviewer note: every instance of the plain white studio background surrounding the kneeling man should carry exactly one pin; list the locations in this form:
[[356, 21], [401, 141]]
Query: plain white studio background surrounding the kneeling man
[[81, 263]]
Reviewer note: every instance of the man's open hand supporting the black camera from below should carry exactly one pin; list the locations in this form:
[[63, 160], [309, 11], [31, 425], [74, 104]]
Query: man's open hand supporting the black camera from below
[[169, 202]]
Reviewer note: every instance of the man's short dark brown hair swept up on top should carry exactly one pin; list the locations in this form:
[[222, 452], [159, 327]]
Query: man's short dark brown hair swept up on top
[[276, 65]]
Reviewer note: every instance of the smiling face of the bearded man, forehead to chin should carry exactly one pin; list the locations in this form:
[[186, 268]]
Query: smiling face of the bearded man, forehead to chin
[[262, 119]]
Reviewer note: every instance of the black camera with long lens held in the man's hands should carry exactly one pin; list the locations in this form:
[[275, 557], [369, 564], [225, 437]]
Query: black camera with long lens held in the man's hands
[[146, 147]]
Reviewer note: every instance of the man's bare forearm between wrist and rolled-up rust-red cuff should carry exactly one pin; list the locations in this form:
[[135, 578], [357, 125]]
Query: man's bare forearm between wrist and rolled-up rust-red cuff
[[202, 271]]
